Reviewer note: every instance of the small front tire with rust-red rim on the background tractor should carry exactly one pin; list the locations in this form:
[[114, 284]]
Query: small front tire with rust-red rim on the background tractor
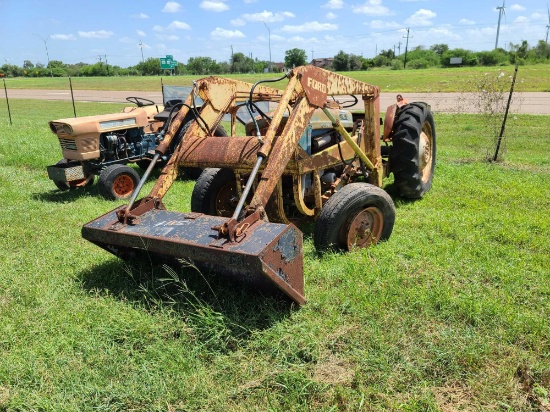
[[117, 182]]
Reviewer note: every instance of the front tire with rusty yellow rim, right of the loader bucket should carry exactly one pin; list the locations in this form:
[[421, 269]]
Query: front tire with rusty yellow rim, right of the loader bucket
[[357, 216]]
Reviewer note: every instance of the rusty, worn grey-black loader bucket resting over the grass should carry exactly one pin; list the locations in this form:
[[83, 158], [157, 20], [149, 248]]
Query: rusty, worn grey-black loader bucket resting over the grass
[[269, 256]]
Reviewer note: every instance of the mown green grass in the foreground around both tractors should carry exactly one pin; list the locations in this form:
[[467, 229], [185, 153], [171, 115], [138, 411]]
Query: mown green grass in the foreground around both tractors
[[451, 313]]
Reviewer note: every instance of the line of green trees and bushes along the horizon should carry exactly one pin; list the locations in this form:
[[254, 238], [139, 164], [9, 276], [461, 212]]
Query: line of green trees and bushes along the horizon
[[437, 55]]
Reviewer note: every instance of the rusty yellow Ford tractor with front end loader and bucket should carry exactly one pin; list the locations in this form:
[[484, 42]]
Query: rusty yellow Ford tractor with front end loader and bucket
[[301, 157]]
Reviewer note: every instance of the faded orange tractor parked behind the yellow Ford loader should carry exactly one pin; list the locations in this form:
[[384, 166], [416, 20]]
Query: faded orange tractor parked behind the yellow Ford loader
[[104, 145]]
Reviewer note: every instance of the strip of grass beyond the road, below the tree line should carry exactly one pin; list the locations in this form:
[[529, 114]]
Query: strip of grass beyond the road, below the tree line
[[532, 78]]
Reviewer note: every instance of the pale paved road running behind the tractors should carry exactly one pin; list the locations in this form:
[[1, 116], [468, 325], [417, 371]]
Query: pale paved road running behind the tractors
[[529, 103]]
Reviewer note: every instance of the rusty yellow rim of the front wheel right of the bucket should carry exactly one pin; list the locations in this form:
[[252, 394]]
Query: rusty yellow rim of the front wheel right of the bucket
[[364, 229]]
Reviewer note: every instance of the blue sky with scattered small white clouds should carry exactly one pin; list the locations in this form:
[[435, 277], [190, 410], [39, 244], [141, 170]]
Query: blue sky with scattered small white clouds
[[119, 31]]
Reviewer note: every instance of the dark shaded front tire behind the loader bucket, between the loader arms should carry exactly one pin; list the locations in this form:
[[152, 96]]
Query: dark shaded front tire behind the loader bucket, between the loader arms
[[215, 193]]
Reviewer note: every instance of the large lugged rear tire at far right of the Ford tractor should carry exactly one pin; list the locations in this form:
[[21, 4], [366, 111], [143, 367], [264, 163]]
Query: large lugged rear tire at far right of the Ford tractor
[[412, 156]]
